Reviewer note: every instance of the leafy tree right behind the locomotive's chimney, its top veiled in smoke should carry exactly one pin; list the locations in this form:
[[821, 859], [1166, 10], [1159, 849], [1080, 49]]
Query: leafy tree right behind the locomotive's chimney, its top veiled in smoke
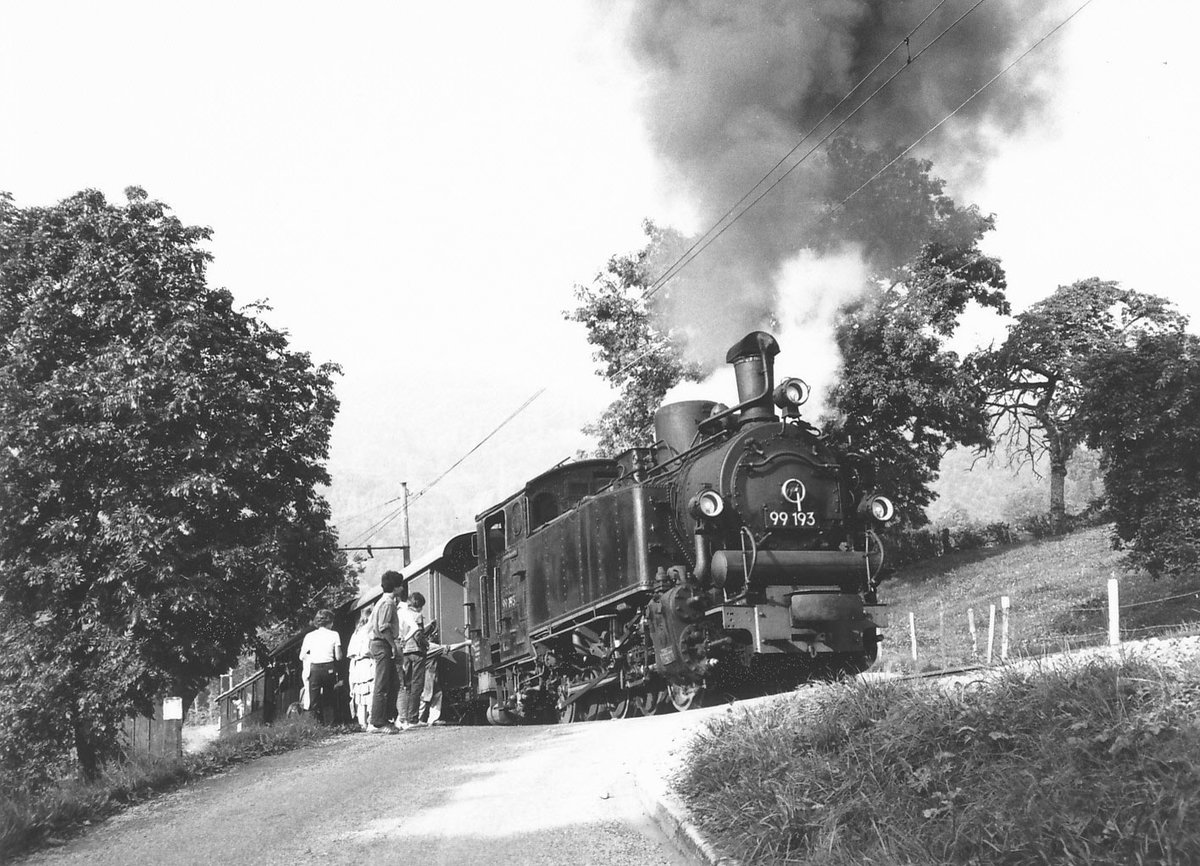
[[903, 399]]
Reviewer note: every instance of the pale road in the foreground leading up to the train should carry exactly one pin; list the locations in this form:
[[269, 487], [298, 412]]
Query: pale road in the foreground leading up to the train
[[562, 795]]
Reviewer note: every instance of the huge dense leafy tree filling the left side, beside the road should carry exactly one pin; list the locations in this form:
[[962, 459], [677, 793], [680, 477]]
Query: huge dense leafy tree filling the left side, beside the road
[[160, 459]]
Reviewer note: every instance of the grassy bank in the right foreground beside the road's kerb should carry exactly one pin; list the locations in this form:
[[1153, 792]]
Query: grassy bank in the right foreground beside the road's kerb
[[1088, 766]]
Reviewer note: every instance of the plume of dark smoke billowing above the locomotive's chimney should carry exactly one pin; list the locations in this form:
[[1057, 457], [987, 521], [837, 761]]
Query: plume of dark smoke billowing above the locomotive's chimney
[[733, 87]]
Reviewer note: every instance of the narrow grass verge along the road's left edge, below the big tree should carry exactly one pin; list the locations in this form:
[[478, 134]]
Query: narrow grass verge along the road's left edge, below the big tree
[[28, 819]]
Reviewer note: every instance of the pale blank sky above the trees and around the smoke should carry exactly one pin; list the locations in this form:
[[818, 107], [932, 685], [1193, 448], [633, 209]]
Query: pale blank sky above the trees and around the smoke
[[416, 191]]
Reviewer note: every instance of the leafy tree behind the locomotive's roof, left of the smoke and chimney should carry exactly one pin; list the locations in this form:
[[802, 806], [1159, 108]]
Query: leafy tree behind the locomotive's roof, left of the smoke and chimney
[[639, 353]]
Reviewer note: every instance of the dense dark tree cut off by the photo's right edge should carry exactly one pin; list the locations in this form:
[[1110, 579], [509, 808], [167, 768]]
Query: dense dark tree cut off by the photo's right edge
[[1139, 404]]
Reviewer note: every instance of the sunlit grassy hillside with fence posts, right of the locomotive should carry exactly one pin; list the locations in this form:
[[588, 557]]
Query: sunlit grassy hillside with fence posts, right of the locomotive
[[1058, 591]]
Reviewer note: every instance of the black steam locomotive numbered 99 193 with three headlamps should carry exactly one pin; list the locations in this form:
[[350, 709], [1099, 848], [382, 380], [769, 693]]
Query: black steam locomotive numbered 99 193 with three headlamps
[[735, 555]]
